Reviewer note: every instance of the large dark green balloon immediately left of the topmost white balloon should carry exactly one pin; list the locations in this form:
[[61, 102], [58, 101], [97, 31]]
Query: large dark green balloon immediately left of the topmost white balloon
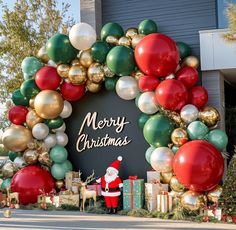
[[60, 50]]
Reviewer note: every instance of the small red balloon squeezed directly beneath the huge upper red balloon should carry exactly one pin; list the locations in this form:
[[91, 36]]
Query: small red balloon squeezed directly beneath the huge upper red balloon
[[148, 83]]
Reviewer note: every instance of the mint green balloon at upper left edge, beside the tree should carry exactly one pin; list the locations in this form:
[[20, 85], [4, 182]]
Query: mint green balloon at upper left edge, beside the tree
[[30, 65]]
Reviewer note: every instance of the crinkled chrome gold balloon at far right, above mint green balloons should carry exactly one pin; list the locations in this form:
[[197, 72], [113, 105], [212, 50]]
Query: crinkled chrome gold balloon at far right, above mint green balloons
[[209, 116]]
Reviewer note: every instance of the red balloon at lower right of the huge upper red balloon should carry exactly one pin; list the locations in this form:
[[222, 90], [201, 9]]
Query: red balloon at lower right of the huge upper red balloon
[[188, 76]]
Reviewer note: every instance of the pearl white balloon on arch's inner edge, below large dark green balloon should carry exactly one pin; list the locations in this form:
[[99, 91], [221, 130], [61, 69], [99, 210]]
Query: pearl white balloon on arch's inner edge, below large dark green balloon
[[127, 88]]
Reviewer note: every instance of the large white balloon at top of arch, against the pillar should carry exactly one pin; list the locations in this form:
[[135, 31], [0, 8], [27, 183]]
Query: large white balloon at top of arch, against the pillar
[[82, 36]]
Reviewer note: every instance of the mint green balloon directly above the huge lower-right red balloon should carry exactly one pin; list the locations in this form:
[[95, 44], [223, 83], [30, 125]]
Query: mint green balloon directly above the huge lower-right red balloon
[[197, 130]]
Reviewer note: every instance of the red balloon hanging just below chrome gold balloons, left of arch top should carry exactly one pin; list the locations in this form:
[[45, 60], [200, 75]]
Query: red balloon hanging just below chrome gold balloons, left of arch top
[[72, 92]]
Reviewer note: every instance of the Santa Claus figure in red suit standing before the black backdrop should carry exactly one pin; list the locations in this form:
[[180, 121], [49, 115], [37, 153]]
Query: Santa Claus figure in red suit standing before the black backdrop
[[111, 184]]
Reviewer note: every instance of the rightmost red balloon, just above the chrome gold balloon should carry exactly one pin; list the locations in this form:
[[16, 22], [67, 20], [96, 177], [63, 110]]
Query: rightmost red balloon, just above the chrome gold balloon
[[198, 96]]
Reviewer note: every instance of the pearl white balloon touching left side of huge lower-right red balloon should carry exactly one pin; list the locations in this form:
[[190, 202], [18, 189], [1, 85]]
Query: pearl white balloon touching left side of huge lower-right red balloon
[[162, 159]]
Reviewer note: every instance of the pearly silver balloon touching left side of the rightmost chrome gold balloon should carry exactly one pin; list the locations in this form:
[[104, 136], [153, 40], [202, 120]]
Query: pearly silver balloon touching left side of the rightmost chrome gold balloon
[[189, 113]]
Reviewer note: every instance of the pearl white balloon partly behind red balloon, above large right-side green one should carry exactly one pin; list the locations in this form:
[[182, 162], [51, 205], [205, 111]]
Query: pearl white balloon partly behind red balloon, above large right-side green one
[[147, 104]]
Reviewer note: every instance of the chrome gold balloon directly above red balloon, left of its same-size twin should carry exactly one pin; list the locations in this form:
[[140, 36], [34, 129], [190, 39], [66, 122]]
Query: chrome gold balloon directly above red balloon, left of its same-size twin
[[78, 75]]
